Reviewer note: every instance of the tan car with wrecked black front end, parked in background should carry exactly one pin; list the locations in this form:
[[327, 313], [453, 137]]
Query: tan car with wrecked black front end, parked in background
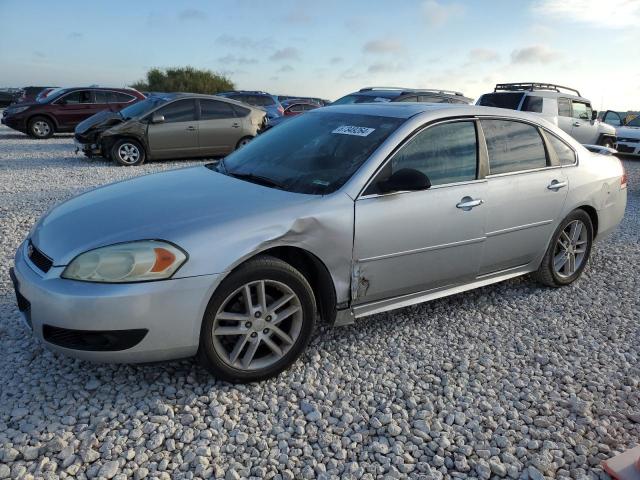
[[173, 125]]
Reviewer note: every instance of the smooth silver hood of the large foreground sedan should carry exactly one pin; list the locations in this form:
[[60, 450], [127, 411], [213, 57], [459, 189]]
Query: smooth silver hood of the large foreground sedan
[[181, 206]]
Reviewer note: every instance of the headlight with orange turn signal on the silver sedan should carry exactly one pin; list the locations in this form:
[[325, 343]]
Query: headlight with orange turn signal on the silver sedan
[[126, 262]]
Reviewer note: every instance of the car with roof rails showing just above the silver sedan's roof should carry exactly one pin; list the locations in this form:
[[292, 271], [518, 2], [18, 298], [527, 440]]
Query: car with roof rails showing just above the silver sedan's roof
[[398, 94]]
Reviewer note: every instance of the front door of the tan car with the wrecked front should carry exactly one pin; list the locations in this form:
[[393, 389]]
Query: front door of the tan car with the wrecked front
[[177, 136]]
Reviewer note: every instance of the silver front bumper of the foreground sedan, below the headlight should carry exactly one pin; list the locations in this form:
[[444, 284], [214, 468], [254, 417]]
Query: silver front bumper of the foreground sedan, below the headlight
[[170, 311]]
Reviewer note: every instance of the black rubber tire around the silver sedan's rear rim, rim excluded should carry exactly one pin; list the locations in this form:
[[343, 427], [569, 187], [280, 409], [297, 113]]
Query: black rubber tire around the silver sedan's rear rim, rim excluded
[[547, 273]]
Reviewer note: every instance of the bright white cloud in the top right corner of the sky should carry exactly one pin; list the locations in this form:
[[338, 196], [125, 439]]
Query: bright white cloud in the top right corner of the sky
[[596, 13]]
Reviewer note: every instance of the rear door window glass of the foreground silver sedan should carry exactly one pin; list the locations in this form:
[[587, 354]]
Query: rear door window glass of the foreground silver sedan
[[513, 146]]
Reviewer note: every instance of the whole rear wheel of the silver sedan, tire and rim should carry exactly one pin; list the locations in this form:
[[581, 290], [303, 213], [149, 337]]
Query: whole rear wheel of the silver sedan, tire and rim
[[556, 269]]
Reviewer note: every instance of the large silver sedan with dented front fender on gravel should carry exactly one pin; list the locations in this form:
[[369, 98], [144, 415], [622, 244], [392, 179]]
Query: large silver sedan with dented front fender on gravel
[[337, 214]]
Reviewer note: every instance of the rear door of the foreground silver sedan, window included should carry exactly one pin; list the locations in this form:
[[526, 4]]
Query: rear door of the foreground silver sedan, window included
[[526, 193]]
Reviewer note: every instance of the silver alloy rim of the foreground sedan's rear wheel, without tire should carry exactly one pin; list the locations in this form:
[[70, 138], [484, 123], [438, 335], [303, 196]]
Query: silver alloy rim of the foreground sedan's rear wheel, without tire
[[570, 249]]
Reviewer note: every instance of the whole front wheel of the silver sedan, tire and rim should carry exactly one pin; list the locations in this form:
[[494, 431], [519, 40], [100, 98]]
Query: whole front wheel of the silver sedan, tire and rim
[[253, 347]]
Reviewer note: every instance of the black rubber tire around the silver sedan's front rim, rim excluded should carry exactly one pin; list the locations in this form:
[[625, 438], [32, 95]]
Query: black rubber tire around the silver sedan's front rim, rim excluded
[[261, 268]]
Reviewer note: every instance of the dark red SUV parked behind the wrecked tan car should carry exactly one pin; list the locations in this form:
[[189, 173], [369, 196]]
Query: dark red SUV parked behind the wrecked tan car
[[63, 109]]
